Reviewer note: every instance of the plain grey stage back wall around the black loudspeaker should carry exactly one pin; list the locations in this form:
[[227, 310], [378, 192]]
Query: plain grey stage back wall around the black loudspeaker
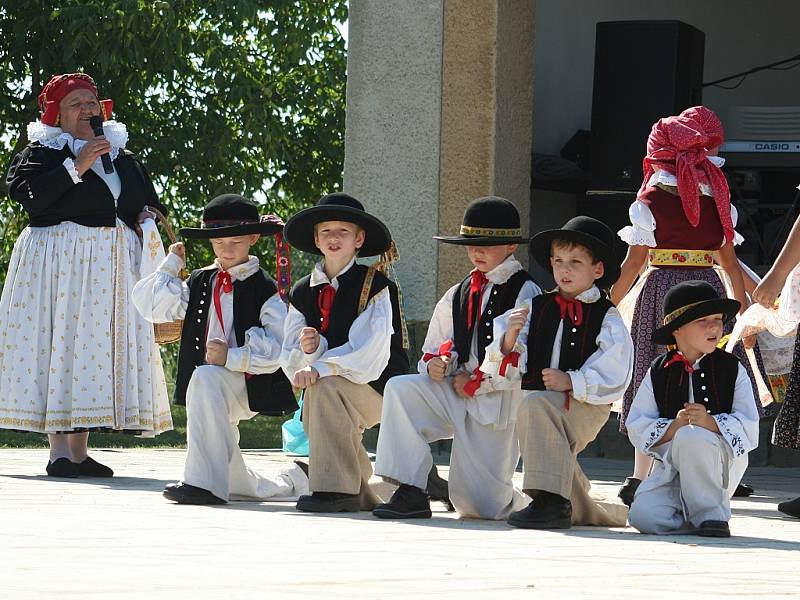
[[740, 34]]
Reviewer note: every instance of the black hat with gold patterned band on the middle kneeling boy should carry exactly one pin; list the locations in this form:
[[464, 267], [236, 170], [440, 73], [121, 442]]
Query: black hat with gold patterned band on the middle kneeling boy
[[488, 221]]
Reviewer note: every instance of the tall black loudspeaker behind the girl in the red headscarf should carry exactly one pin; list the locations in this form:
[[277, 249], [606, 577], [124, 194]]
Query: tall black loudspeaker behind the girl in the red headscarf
[[643, 70]]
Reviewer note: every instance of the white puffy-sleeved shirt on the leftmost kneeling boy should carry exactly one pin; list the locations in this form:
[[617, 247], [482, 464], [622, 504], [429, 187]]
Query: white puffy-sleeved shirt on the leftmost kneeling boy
[[162, 297]]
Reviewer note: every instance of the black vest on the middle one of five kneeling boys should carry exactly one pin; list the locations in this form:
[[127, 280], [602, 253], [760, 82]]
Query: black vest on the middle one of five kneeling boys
[[502, 298]]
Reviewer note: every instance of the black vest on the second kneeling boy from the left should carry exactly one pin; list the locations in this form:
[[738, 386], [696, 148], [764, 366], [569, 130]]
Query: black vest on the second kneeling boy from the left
[[345, 311]]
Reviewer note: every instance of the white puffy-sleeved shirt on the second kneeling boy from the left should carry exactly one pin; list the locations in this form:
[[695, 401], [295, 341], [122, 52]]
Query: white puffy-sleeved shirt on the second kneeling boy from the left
[[362, 358]]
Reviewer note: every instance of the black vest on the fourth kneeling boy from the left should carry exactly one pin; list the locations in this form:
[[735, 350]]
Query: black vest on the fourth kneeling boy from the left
[[578, 342]]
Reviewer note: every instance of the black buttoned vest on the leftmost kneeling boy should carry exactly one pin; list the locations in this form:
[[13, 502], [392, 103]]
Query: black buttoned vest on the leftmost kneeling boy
[[268, 394]]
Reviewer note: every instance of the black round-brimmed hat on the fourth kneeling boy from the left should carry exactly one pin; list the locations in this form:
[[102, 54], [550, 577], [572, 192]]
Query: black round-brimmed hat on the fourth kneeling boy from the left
[[588, 232]]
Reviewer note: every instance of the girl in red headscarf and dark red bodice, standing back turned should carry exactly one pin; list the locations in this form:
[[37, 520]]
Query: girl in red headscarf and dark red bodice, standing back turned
[[682, 221]]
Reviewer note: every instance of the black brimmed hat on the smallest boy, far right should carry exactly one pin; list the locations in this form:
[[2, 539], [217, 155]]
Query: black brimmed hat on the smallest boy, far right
[[690, 300]]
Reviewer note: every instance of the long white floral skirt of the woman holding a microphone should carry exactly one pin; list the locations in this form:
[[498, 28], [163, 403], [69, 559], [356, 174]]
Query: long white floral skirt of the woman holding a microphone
[[75, 354]]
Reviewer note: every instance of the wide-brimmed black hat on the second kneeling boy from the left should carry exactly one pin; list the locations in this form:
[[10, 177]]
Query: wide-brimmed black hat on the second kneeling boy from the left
[[299, 229]]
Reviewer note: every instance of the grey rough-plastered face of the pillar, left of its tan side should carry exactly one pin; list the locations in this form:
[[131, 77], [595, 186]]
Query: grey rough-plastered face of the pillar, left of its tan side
[[392, 131]]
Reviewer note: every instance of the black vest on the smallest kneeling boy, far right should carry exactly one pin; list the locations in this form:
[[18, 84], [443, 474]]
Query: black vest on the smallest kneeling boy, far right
[[713, 383]]
